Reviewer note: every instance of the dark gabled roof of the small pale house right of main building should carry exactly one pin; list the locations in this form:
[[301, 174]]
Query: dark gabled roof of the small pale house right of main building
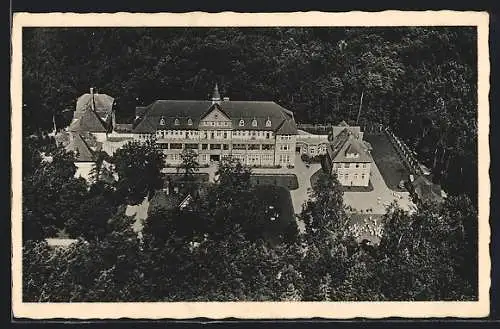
[[344, 144]]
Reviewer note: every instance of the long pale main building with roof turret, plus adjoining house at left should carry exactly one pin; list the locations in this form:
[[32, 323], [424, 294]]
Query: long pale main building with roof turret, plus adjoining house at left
[[257, 133]]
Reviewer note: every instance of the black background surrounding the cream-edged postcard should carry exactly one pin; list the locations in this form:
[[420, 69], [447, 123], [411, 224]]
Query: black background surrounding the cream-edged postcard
[[133, 6]]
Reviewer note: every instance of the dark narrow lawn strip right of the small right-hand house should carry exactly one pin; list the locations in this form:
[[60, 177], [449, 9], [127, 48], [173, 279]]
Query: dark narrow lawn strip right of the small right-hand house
[[388, 161]]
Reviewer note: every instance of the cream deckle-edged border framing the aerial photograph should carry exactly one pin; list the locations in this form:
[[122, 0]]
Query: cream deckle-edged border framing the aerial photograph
[[254, 310]]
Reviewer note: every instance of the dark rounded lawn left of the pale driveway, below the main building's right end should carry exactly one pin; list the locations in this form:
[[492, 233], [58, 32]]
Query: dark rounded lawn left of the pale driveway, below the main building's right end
[[284, 225]]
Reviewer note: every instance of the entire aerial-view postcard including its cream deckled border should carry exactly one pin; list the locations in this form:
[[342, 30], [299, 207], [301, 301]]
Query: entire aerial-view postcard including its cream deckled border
[[247, 163]]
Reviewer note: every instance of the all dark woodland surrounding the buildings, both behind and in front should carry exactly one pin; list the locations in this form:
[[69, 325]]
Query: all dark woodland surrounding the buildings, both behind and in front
[[420, 82]]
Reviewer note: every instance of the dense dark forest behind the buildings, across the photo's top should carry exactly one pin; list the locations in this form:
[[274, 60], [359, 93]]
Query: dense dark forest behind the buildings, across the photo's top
[[419, 81]]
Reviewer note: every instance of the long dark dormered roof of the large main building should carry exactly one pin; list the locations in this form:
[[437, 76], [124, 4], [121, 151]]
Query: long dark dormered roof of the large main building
[[183, 110]]
